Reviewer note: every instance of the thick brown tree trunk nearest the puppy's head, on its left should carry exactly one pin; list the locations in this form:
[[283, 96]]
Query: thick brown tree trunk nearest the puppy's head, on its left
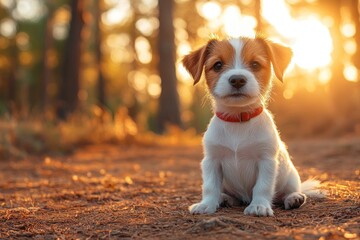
[[169, 106]]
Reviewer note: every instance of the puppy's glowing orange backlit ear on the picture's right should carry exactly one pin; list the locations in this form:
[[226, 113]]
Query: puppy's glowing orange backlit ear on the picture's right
[[280, 57]]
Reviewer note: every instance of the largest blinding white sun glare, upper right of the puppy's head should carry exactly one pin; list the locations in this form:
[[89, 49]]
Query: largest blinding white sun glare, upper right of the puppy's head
[[309, 38]]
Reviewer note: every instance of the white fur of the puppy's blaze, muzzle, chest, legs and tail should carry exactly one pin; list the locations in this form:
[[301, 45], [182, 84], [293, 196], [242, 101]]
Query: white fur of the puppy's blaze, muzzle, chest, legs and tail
[[247, 161]]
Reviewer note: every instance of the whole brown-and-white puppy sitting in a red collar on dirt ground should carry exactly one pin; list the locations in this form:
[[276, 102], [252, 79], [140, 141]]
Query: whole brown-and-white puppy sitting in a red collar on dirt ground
[[245, 161]]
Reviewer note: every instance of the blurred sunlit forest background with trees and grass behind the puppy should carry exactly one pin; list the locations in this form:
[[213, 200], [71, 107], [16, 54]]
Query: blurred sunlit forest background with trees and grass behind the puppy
[[74, 71]]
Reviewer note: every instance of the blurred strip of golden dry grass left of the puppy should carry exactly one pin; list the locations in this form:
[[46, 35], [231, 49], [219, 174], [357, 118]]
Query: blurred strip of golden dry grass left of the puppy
[[23, 136]]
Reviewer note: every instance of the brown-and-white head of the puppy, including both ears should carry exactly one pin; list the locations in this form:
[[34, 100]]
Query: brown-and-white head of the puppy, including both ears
[[238, 71]]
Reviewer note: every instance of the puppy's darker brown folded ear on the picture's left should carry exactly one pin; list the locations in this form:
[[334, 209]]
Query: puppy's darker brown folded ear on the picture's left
[[194, 61]]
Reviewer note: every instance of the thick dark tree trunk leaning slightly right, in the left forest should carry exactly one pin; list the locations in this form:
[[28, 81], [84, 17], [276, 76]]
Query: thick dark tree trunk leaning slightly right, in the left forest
[[68, 96]]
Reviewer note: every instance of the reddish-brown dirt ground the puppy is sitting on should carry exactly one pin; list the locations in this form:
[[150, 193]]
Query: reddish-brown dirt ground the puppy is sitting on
[[142, 192]]
